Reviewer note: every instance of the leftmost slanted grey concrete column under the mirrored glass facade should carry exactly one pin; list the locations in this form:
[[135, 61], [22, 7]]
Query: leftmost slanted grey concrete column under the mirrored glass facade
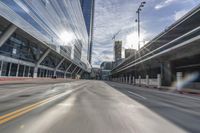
[[6, 35]]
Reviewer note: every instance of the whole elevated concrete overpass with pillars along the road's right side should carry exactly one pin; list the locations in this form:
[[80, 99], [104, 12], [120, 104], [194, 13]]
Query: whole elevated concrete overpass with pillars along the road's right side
[[169, 57]]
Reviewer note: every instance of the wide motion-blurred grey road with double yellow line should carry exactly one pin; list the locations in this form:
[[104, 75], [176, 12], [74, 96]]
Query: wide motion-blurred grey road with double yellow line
[[95, 107]]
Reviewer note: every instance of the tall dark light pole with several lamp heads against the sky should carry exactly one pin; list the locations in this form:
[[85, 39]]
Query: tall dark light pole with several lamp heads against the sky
[[138, 21]]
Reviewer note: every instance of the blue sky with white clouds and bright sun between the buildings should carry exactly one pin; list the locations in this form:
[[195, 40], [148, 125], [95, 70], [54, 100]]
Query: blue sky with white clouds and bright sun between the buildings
[[112, 16]]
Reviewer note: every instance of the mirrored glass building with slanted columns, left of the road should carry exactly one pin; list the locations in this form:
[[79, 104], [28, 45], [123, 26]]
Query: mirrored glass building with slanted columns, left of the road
[[49, 37]]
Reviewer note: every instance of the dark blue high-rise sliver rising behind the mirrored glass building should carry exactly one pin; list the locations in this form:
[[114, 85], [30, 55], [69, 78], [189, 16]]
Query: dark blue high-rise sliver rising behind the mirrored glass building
[[88, 13]]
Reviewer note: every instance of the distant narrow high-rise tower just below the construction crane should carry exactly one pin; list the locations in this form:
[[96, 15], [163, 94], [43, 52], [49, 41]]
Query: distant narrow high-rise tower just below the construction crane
[[118, 50]]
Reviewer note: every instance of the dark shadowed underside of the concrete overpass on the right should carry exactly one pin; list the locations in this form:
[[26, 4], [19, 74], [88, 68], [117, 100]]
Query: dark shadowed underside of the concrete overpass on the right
[[183, 59]]
